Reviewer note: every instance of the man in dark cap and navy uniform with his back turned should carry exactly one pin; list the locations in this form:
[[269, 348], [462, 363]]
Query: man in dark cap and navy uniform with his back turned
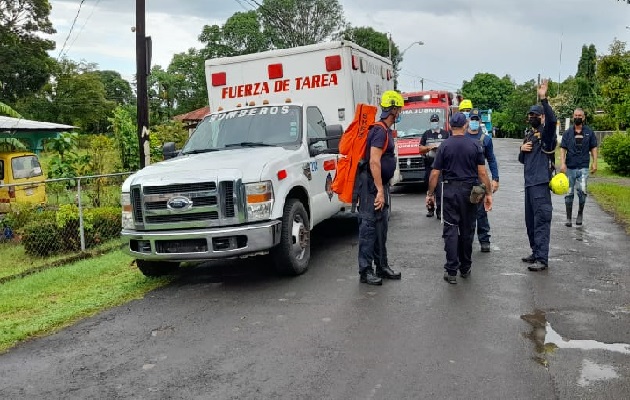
[[462, 164]]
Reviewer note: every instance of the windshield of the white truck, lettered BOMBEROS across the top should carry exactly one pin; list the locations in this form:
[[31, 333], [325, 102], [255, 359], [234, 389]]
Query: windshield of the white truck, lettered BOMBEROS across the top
[[250, 127]]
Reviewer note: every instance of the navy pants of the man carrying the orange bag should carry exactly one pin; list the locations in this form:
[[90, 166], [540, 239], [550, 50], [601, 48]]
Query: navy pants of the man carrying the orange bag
[[372, 225]]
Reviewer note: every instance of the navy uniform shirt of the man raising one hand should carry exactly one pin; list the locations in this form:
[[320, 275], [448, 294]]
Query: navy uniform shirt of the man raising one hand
[[537, 163]]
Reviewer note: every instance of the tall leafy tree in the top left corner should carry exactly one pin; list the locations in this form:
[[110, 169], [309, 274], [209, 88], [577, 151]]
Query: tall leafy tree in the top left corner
[[24, 62]]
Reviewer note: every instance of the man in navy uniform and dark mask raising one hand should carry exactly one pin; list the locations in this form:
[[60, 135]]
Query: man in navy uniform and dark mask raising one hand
[[536, 154]]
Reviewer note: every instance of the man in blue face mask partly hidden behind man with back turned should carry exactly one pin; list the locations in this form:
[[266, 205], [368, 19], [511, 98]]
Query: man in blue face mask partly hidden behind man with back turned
[[481, 222]]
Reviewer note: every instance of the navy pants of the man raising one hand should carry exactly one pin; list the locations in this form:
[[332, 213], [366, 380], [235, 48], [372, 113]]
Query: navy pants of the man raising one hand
[[538, 210]]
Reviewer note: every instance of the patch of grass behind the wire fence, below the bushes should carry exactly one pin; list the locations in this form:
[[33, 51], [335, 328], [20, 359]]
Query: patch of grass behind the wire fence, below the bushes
[[21, 263]]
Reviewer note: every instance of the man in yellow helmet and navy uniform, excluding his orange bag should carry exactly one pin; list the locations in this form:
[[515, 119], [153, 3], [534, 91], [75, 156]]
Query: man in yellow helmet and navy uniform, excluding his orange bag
[[375, 172]]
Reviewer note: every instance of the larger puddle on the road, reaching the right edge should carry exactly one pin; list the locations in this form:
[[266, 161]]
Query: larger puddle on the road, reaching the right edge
[[547, 340]]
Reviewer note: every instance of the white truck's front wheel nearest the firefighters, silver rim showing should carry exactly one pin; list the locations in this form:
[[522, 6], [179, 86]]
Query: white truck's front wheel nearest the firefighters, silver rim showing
[[292, 254]]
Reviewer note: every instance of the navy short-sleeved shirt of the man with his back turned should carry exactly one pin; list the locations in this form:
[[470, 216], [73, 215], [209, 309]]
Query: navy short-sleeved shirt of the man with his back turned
[[458, 158]]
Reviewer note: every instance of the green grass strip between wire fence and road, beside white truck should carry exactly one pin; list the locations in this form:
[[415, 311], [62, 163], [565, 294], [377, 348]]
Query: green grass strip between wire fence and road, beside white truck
[[45, 302]]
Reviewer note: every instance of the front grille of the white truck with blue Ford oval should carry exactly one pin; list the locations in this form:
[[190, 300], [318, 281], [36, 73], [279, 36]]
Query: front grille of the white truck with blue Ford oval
[[186, 205]]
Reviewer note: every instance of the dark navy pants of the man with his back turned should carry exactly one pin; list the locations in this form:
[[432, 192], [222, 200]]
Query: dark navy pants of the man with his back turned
[[459, 214]]
